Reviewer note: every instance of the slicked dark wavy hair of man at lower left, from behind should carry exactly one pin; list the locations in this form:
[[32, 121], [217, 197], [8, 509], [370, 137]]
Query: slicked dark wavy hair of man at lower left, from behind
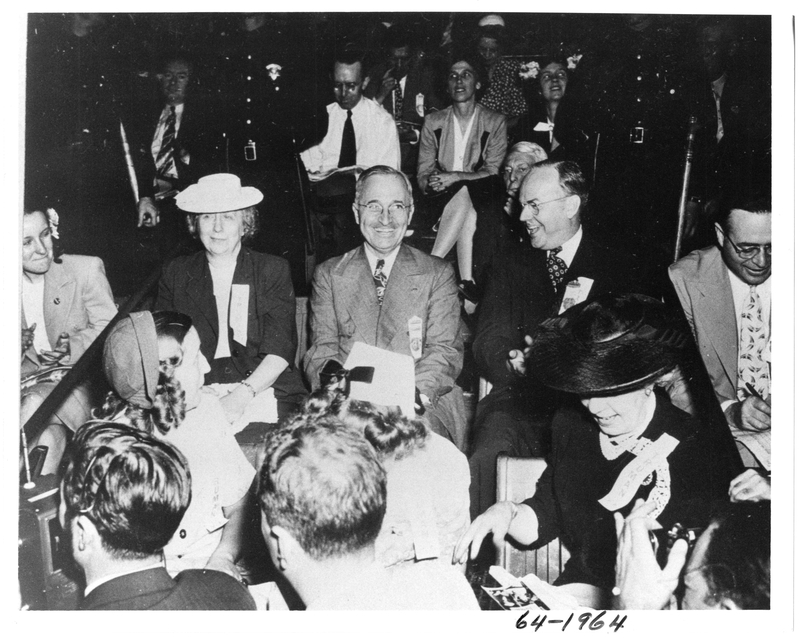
[[133, 487]]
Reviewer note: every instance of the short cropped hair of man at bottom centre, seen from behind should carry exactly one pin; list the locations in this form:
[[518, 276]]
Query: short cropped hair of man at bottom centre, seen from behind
[[323, 483]]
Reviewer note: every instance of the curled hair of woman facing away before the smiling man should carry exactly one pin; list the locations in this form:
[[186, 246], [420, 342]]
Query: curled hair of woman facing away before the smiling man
[[391, 433]]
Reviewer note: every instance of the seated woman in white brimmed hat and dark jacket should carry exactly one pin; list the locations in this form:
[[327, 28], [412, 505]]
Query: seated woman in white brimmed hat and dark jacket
[[241, 302]]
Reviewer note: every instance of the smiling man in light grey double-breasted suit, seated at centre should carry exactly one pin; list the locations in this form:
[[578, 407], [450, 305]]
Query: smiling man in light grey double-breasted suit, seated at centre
[[392, 296]]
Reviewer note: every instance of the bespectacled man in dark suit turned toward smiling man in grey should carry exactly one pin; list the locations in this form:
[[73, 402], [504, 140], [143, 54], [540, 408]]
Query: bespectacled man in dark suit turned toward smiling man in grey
[[562, 266]]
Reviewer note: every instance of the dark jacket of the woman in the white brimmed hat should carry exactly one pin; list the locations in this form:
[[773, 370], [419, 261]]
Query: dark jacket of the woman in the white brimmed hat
[[186, 286]]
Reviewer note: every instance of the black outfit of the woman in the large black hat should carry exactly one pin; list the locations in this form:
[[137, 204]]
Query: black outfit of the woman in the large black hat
[[578, 475]]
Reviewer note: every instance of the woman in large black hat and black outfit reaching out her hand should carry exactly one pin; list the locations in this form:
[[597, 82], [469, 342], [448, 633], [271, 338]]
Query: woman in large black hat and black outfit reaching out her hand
[[624, 442]]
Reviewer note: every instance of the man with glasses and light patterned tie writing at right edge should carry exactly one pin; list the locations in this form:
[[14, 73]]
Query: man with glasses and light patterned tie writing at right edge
[[725, 291]]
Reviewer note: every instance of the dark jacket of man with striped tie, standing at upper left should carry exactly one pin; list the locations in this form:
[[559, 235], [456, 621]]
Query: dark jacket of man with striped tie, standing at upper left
[[196, 137]]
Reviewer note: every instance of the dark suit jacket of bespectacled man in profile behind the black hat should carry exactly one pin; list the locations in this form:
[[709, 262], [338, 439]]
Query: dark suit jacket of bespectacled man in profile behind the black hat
[[519, 296]]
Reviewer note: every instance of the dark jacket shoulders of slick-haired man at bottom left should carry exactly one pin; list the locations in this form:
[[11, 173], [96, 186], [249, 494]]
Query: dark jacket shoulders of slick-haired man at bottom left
[[193, 589]]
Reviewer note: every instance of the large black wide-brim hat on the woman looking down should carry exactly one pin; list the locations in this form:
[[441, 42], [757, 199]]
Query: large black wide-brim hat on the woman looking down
[[609, 345]]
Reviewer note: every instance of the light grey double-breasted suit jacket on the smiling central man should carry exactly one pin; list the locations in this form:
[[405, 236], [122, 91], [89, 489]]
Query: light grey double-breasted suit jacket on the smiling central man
[[344, 309]]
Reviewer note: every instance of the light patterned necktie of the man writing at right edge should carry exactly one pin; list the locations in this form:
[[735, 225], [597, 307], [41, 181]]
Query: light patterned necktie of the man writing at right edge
[[753, 369]]
